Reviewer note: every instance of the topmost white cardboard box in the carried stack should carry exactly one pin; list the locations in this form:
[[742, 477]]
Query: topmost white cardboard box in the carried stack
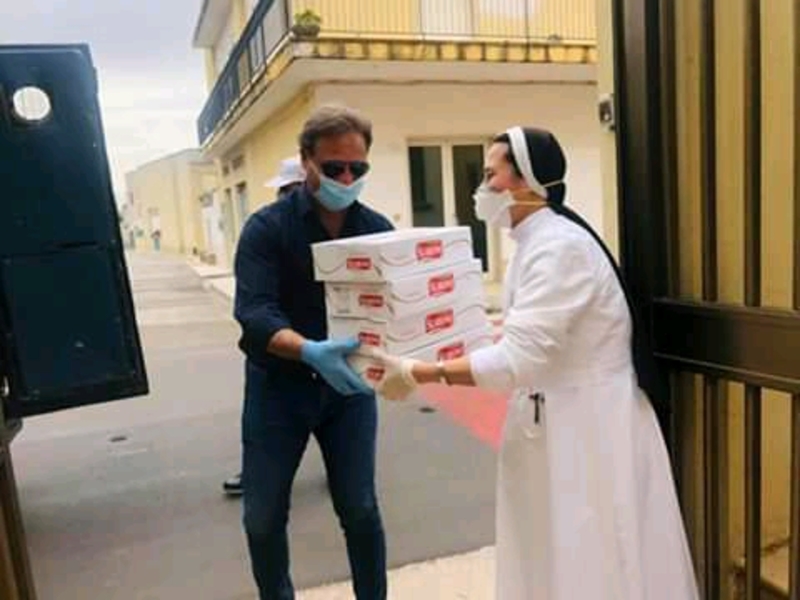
[[380, 257]]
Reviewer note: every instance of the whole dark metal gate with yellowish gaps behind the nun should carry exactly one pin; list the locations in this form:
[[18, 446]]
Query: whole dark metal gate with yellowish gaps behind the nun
[[708, 95]]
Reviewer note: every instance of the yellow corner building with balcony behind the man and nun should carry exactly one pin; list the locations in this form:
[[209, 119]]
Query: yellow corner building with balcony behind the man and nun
[[437, 79]]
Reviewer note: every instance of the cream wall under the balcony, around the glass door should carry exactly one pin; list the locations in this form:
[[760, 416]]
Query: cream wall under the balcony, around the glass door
[[415, 112]]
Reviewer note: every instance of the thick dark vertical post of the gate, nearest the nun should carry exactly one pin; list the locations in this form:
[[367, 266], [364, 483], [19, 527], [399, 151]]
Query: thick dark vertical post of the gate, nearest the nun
[[645, 248]]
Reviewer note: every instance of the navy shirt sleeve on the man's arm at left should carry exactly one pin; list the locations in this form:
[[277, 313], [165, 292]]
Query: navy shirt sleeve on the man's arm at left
[[257, 270]]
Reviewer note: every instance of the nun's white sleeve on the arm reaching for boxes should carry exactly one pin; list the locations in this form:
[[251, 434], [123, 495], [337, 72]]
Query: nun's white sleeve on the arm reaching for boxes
[[557, 281]]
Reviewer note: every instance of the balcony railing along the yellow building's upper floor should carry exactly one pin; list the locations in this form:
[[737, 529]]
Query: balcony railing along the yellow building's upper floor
[[570, 21]]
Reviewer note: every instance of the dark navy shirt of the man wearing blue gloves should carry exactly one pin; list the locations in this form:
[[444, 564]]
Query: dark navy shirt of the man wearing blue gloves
[[275, 287]]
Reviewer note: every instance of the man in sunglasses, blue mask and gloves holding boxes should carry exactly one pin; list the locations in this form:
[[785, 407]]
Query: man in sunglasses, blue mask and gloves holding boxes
[[297, 383]]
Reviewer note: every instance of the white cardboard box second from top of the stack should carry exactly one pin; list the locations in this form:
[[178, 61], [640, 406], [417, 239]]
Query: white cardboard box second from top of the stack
[[407, 295]]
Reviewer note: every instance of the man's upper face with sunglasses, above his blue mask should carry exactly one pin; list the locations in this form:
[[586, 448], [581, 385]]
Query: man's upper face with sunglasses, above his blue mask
[[341, 157]]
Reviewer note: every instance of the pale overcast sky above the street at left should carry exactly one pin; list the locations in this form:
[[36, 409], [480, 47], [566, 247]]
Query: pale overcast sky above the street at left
[[152, 84]]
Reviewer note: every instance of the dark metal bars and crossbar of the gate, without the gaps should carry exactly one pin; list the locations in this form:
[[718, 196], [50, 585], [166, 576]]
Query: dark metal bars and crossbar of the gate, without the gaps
[[718, 342]]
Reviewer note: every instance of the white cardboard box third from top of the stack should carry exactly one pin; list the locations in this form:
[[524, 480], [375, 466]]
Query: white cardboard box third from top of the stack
[[410, 333]]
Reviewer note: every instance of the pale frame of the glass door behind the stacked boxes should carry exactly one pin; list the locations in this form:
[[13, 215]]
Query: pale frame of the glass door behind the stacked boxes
[[445, 144]]
